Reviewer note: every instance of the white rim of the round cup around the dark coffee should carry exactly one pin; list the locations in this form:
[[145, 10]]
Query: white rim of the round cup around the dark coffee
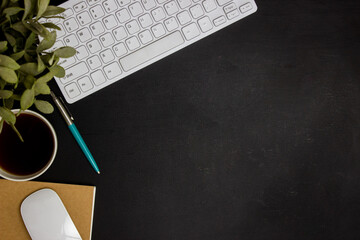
[[13, 177]]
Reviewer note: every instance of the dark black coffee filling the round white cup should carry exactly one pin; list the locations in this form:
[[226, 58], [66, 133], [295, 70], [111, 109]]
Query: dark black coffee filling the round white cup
[[30, 156]]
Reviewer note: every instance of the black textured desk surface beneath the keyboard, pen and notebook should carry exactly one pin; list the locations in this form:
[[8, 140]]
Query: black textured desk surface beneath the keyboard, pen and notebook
[[251, 133]]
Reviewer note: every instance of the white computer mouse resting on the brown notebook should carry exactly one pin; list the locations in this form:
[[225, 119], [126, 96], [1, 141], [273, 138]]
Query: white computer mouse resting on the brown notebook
[[46, 218]]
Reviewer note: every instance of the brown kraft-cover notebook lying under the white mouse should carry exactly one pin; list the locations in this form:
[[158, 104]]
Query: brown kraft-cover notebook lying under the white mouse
[[78, 200]]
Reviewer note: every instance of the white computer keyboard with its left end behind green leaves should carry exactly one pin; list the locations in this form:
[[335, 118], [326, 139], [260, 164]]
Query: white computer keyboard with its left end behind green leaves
[[115, 38]]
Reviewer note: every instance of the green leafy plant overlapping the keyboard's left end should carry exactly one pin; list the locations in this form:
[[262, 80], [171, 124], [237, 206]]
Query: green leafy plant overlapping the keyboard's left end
[[26, 62]]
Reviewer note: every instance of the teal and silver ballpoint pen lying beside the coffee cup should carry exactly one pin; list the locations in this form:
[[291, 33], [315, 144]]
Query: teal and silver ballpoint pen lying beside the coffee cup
[[69, 121]]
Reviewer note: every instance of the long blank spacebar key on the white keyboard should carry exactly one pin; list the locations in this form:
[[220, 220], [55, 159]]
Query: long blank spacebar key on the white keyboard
[[151, 51]]
